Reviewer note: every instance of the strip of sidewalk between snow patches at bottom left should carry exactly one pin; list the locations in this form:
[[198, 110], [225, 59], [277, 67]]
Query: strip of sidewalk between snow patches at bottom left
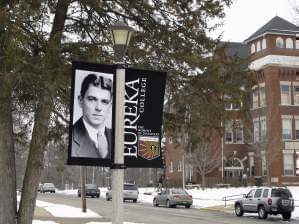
[[43, 215]]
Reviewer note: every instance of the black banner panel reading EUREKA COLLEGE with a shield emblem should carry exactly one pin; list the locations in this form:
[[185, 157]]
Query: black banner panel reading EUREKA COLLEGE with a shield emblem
[[144, 98]]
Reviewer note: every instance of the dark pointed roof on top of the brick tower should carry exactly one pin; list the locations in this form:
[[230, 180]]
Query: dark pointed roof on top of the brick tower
[[276, 25]]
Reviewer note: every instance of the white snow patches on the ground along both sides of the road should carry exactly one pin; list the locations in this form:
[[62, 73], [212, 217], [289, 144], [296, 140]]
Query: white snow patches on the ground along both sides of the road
[[201, 199]]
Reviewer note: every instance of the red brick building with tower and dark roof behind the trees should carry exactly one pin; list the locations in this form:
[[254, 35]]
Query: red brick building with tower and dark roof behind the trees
[[273, 151]]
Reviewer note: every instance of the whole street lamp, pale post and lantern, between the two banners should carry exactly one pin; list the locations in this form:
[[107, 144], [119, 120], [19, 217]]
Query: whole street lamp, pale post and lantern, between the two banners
[[121, 34]]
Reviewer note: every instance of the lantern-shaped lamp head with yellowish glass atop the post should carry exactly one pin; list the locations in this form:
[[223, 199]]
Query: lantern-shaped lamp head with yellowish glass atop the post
[[121, 35]]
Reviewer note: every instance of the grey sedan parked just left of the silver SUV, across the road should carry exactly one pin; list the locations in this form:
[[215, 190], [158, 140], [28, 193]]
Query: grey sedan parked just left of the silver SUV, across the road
[[173, 197]]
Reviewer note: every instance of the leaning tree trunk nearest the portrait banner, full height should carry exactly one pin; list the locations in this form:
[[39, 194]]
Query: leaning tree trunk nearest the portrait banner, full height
[[41, 121]]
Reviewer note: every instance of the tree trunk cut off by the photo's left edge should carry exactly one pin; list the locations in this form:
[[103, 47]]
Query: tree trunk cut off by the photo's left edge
[[8, 204]]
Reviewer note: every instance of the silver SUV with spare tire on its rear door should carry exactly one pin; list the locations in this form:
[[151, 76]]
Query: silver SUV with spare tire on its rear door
[[266, 200]]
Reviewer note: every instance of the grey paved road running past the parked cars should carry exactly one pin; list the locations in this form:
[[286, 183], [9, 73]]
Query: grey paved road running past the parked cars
[[145, 213]]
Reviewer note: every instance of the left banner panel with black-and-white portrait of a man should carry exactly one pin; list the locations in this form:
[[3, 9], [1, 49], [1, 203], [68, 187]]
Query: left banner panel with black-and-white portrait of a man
[[91, 125]]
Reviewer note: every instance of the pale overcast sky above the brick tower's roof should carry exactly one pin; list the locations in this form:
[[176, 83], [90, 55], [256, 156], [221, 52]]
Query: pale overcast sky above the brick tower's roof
[[245, 17]]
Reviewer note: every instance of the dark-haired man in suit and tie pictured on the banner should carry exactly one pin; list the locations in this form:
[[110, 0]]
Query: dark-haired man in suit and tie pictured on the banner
[[91, 138]]
